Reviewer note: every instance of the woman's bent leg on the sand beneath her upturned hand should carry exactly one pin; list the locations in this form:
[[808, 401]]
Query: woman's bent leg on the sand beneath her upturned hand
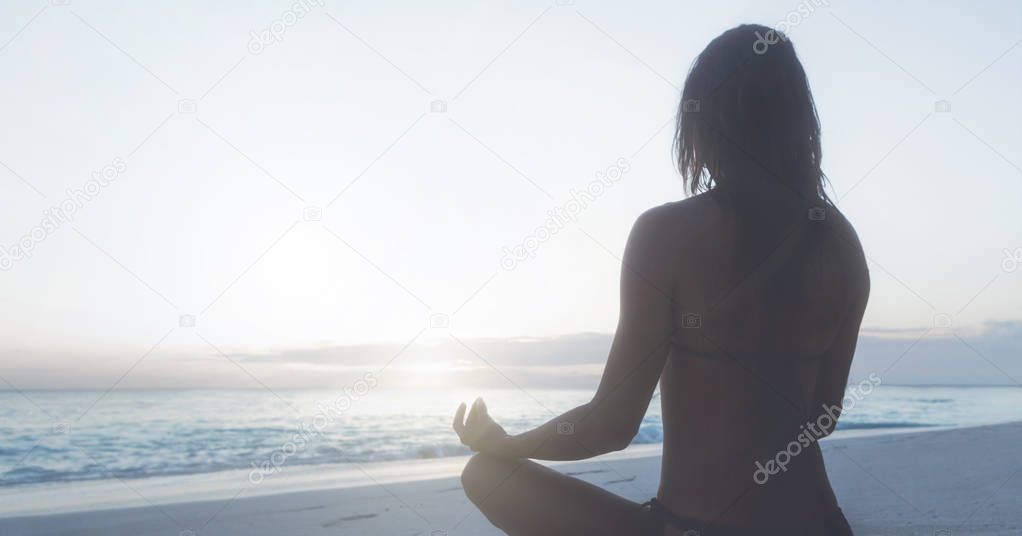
[[523, 498]]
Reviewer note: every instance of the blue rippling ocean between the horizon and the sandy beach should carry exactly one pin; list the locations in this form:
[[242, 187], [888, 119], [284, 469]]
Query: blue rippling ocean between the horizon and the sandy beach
[[63, 436]]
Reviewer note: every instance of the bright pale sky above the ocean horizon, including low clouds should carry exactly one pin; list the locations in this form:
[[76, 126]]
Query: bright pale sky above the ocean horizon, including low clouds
[[218, 194]]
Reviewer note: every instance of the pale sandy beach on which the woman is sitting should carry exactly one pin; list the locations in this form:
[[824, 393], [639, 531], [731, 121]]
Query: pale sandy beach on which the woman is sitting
[[962, 481]]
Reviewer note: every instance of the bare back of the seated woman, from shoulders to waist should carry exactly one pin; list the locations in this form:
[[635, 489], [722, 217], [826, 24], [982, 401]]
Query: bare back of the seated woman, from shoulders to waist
[[741, 382]]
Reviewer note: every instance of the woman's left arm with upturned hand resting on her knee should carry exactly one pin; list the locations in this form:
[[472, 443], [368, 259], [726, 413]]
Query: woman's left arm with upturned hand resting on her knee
[[640, 349]]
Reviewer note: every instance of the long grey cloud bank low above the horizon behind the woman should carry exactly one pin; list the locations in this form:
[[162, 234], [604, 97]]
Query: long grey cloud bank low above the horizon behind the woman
[[990, 355]]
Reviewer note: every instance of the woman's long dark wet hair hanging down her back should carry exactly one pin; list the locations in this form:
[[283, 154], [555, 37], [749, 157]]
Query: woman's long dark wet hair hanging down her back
[[749, 129]]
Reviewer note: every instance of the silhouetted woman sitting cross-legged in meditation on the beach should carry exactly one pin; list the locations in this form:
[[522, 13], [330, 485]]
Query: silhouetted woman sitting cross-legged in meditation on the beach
[[744, 302]]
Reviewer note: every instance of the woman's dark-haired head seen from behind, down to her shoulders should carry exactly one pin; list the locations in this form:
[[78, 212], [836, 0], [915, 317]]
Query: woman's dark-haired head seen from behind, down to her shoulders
[[747, 107]]
